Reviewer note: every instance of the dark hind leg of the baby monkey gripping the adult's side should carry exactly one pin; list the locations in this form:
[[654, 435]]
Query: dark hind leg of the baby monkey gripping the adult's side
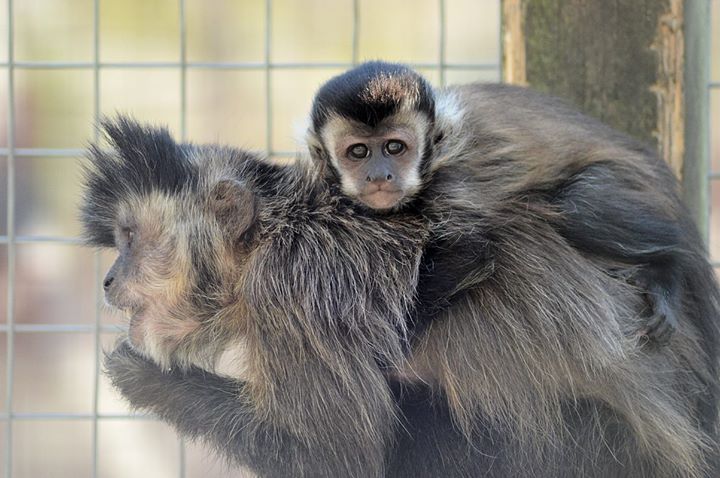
[[604, 215]]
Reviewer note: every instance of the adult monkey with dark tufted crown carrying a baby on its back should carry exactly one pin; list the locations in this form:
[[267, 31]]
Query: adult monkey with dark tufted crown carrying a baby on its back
[[271, 277]]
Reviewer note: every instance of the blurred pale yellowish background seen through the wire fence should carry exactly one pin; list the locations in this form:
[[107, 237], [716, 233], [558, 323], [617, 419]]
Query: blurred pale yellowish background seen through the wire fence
[[237, 72]]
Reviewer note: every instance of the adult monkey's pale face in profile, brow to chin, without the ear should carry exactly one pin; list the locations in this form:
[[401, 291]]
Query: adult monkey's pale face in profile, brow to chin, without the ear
[[151, 278]]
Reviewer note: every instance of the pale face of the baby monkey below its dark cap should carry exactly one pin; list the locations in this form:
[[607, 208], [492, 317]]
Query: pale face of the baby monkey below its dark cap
[[380, 166]]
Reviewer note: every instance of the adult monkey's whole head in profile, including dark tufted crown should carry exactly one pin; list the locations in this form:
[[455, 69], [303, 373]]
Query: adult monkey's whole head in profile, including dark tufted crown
[[181, 232]]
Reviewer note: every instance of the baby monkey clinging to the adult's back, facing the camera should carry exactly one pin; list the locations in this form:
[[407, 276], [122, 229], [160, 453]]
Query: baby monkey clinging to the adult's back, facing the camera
[[383, 135]]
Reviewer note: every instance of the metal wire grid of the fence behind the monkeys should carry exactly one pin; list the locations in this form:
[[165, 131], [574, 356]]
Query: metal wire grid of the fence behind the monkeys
[[11, 240]]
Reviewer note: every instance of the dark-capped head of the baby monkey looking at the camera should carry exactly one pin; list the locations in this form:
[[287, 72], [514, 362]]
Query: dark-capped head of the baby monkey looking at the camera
[[373, 128]]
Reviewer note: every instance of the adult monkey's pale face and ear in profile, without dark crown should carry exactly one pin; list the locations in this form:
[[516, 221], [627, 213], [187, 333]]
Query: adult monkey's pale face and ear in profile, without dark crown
[[176, 262]]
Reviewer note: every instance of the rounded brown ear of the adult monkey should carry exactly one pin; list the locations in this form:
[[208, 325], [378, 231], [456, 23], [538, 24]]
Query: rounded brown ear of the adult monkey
[[234, 206]]
